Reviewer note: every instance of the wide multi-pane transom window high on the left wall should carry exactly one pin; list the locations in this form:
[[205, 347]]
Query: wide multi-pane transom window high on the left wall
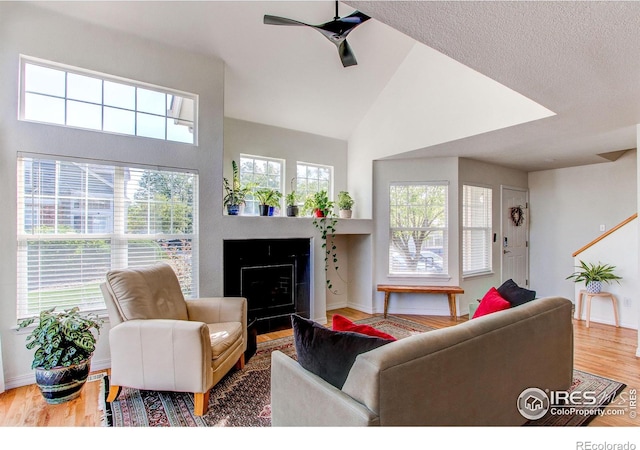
[[73, 97]]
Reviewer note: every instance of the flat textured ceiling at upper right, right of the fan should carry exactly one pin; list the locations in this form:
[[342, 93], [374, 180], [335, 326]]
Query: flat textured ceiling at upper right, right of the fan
[[578, 59]]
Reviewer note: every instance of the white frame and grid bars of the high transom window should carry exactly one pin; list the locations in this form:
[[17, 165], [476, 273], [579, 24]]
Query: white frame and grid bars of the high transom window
[[67, 69]]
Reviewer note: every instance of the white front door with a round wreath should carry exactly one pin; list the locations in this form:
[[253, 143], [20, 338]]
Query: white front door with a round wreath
[[515, 235]]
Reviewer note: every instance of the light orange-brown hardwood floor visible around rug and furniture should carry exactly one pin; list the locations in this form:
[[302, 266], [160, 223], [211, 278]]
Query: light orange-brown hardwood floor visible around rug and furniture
[[601, 349]]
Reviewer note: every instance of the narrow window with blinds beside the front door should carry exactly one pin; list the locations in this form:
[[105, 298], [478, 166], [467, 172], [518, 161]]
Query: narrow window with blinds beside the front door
[[476, 230]]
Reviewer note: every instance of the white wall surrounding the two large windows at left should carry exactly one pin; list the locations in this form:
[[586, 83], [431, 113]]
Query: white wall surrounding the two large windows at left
[[26, 29]]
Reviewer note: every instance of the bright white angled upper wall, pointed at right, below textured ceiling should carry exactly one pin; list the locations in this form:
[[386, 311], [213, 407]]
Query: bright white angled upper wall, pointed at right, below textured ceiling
[[405, 118]]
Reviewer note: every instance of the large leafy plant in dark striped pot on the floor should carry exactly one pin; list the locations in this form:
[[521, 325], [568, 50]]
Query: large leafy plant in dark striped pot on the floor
[[64, 343]]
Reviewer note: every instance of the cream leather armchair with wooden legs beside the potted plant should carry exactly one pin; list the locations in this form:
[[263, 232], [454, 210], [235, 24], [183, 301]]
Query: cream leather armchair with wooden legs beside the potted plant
[[160, 341]]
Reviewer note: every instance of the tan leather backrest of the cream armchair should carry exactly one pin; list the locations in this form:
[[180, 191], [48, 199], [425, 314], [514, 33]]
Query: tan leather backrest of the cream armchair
[[147, 292]]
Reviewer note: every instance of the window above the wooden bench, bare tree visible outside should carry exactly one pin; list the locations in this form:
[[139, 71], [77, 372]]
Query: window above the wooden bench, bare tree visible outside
[[418, 229]]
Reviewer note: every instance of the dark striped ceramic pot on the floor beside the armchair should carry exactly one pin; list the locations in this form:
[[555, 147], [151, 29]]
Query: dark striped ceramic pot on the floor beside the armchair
[[61, 384]]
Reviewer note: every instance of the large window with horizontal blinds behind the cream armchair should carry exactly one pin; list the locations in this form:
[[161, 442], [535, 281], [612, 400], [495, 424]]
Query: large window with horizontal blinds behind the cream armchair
[[78, 219]]
